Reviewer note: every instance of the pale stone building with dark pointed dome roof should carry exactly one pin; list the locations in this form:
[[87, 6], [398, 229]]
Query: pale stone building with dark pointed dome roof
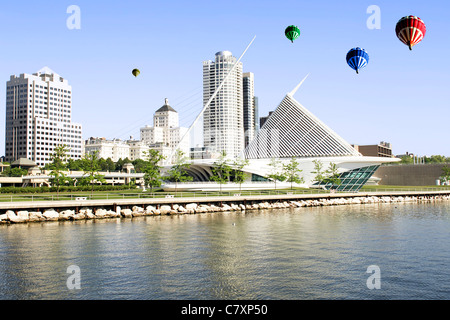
[[166, 134]]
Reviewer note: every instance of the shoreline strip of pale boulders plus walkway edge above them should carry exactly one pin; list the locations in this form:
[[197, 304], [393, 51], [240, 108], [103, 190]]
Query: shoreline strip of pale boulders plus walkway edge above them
[[39, 212]]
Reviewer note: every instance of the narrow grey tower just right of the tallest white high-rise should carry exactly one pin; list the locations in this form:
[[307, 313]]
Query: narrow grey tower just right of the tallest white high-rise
[[249, 107]]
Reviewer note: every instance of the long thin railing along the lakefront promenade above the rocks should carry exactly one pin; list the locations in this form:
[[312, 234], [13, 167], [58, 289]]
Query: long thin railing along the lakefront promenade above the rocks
[[201, 194]]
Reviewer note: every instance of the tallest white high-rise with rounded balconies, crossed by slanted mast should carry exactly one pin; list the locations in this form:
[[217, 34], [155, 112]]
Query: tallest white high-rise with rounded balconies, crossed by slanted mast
[[223, 121]]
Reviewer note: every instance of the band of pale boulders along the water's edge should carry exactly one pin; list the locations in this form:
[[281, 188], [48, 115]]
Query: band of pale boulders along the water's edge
[[24, 216]]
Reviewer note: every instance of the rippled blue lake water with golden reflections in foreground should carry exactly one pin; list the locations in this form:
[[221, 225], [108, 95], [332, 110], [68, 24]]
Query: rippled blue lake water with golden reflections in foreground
[[303, 253]]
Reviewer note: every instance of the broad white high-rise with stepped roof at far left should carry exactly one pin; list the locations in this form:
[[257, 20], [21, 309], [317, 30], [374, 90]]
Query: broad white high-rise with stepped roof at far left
[[39, 117]]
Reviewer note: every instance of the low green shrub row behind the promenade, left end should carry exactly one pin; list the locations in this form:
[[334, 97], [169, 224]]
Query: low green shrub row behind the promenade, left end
[[64, 189]]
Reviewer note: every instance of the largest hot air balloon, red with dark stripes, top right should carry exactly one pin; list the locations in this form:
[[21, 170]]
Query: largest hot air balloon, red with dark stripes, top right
[[410, 30]]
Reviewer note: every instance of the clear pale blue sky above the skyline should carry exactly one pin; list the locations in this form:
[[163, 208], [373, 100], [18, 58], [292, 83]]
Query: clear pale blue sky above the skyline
[[401, 97]]
